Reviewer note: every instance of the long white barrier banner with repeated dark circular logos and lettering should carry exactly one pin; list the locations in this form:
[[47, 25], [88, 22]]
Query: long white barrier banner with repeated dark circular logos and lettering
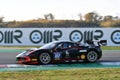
[[40, 36]]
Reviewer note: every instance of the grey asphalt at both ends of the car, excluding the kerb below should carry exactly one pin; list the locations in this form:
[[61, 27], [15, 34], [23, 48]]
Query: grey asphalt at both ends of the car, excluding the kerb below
[[8, 56]]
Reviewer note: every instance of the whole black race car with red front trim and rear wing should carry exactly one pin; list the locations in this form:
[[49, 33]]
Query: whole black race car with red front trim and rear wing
[[62, 51]]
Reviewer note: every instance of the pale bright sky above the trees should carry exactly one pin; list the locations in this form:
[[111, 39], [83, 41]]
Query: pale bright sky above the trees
[[61, 9]]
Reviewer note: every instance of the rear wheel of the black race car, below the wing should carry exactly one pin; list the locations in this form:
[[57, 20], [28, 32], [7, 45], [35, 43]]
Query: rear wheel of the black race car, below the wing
[[91, 56]]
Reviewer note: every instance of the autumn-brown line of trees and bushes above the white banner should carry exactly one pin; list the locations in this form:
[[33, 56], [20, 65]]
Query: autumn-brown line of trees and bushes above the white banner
[[91, 19]]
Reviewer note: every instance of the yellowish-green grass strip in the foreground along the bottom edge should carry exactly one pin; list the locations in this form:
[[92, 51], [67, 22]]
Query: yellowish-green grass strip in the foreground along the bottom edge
[[72, 74]]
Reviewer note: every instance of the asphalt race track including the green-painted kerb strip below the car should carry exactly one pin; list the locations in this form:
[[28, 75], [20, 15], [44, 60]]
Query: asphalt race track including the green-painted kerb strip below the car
[[110, 59]]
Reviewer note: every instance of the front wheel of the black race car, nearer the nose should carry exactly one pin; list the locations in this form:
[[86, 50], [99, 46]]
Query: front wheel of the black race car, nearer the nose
[[44, 58]]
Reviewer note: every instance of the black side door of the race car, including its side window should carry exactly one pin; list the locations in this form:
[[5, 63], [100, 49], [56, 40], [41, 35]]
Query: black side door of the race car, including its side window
[[66, 51]]
